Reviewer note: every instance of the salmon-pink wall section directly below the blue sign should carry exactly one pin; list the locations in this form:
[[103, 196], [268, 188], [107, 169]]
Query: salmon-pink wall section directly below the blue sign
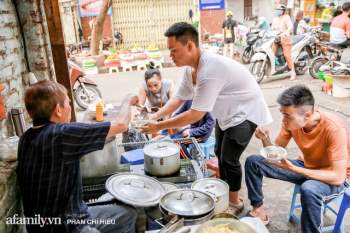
[[211, 21]]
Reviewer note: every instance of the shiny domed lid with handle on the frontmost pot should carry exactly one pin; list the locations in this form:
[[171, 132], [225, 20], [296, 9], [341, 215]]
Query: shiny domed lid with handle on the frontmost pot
[[187, 202]]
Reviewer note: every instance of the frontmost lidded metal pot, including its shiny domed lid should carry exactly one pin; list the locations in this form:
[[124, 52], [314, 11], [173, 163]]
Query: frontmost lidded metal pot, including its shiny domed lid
[[193, 206]]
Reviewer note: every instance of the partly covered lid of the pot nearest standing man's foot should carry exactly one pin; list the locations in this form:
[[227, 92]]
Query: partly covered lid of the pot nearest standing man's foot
[[212, 186]]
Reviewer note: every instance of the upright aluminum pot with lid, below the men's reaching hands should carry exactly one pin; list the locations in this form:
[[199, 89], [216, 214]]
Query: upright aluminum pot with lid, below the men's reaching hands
[[162, 158]]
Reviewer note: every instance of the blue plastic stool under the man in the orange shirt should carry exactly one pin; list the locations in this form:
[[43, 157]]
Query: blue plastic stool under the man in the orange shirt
[[294, 205]]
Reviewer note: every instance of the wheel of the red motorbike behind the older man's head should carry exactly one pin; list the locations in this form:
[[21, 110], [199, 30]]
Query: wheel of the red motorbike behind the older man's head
[[81, 97]]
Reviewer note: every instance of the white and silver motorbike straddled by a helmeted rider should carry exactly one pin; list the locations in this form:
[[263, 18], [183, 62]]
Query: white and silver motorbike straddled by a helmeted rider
[[265, 64]]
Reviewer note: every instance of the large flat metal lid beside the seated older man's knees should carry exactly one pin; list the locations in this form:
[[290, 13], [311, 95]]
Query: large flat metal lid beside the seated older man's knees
[[135, 189]]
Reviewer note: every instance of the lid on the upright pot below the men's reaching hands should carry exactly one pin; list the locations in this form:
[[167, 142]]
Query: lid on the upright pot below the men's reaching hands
[[161, 149]]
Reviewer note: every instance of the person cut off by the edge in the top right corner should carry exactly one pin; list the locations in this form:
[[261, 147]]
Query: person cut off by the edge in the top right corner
[[340, 27]]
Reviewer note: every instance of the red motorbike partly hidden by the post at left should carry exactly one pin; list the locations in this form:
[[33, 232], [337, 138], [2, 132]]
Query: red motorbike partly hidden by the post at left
[[85, 90]]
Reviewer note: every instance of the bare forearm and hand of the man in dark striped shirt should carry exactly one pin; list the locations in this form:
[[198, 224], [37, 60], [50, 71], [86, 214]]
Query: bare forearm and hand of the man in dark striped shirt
[[122, 121]]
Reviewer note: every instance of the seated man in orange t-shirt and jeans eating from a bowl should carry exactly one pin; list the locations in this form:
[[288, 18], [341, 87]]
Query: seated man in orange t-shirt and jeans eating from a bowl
[[321, 172]]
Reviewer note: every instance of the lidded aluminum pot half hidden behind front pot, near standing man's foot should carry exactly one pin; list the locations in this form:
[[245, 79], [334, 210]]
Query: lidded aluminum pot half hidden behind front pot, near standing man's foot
[[218, 189]]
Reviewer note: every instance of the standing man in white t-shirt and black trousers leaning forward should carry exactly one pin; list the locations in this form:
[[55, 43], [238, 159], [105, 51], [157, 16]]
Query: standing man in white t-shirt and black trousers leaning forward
[[225, 88]]
